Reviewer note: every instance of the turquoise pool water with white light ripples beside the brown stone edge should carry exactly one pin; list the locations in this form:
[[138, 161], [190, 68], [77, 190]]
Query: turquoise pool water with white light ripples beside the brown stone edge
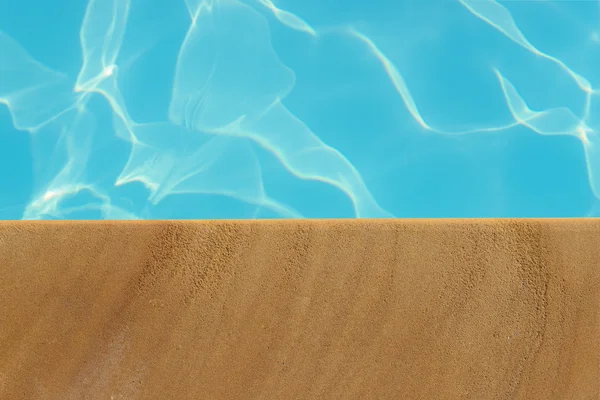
[[154, 109]]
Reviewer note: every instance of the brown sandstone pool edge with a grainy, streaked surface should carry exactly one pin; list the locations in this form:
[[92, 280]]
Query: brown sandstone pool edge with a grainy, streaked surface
[[341, 309]]
